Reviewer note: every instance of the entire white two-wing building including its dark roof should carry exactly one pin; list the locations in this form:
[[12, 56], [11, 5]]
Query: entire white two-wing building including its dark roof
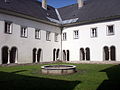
[[72, 33]]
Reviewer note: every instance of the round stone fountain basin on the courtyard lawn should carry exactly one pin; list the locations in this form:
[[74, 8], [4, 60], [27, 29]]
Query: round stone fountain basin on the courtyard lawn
[[58, 69]]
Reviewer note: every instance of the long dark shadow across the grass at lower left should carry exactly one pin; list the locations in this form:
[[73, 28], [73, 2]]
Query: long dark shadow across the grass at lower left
[[12, 81]]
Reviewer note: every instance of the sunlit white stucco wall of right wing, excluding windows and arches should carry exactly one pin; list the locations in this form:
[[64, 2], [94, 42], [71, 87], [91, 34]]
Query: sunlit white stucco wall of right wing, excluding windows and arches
[[95, 44]]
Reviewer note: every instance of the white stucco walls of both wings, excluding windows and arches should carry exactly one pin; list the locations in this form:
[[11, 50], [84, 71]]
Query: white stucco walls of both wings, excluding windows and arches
[[25, 45]]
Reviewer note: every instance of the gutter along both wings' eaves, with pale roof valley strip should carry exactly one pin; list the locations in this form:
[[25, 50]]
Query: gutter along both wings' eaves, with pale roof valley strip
[[61, 24]]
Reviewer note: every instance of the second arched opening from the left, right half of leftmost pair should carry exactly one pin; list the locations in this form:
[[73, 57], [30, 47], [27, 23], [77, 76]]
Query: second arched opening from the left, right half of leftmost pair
[[13, 55]]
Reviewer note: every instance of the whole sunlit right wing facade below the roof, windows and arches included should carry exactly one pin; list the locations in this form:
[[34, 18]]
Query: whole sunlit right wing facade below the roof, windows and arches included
[[89, 45]]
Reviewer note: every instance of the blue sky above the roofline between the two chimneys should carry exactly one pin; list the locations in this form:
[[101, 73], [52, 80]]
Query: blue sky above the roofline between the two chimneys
[[60, 3]]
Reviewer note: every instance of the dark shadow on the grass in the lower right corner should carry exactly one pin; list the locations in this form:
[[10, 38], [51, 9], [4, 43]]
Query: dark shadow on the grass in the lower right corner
[[113, 82]]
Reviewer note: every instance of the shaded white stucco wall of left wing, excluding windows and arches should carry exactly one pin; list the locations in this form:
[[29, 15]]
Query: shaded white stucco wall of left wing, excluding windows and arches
[[26, 45]]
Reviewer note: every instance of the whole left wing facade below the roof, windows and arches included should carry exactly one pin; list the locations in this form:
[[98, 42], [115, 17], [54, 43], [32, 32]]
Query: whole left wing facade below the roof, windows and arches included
[[18, 48]]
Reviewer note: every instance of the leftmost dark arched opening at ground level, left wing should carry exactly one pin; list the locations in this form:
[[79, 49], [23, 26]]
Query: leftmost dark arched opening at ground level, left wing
[[5, 55]]
